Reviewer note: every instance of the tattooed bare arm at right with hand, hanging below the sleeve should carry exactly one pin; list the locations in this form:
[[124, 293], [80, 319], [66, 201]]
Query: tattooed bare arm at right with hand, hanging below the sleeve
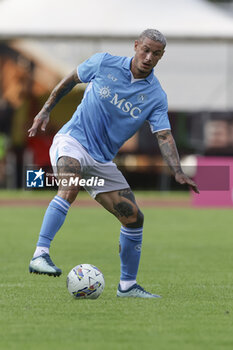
[[170, 154]]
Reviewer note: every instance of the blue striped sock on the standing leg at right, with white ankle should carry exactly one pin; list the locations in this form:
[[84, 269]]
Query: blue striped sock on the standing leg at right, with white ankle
[[130, 253]]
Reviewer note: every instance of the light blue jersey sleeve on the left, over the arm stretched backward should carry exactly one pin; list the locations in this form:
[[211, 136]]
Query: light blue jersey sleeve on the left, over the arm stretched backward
[[87, 70]]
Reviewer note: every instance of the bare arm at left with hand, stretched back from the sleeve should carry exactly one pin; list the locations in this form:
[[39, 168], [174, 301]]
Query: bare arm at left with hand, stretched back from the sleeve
[[60, 90]]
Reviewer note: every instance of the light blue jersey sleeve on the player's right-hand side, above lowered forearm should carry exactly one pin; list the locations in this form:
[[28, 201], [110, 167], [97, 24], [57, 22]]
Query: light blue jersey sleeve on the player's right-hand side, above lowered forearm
[[158, 119]]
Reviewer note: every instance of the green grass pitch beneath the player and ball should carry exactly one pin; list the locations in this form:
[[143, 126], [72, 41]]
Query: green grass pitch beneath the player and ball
[[187, 258]]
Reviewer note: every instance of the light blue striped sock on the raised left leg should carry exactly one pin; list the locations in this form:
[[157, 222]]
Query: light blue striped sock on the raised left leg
[[54, 218]]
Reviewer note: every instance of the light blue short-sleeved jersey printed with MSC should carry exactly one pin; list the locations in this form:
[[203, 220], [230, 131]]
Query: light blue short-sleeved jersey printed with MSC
[[114, 106]]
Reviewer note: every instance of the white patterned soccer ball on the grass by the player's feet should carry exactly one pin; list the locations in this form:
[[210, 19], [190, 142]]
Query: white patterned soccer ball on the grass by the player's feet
[[85, 281]]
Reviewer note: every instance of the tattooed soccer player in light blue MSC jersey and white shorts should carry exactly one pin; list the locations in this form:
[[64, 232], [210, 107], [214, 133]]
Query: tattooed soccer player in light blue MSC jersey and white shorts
[[121, 95]]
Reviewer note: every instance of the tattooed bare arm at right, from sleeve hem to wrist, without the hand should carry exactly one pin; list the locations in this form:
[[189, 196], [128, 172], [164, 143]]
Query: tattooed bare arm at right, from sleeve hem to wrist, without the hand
[[168, 150]]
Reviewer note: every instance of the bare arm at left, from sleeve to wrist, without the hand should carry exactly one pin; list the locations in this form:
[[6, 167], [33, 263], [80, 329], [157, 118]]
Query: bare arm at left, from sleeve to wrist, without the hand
[[60, 90]]
